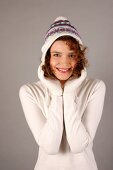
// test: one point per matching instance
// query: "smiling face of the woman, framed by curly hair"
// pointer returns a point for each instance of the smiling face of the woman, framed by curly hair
(62, 61)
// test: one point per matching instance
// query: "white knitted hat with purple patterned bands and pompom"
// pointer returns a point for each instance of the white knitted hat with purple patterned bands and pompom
(60, 27)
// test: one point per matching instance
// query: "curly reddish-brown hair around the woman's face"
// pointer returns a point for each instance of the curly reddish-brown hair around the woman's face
(82, 61)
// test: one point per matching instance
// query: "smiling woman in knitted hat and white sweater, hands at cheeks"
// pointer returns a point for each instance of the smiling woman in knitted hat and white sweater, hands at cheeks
(64, 107)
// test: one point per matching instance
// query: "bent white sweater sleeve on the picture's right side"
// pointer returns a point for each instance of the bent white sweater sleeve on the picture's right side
(80, 130)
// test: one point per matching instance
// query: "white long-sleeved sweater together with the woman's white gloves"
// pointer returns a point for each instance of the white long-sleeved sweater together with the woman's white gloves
(64, 122)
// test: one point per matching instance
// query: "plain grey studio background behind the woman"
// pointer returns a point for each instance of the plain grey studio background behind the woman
(23, 24)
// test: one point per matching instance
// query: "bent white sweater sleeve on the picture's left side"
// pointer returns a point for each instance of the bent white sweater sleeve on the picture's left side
(47, 132)
